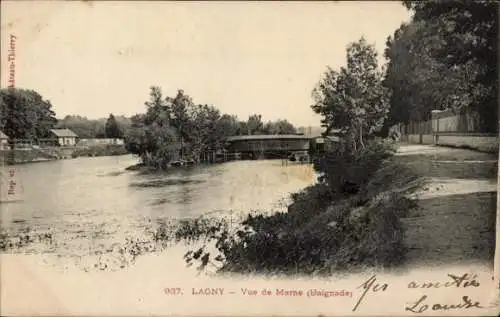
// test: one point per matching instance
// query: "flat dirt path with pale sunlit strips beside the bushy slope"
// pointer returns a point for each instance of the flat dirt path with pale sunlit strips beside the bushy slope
(456, 221)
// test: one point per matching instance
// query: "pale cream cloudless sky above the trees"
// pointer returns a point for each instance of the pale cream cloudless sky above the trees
(96, 58)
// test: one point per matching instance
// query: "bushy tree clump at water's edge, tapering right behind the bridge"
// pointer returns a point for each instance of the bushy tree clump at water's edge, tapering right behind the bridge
(176, 127)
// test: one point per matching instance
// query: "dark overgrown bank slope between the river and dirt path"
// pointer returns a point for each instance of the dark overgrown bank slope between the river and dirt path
(350, 220)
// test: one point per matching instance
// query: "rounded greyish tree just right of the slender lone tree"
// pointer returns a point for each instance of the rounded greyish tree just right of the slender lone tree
(419, 83)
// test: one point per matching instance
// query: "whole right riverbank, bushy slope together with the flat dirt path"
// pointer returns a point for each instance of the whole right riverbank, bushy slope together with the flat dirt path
(424, 205)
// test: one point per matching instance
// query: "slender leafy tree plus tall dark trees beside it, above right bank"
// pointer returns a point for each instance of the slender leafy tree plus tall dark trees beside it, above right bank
(444, 58)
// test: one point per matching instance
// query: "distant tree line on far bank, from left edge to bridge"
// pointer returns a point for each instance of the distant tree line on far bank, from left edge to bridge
(171, 127)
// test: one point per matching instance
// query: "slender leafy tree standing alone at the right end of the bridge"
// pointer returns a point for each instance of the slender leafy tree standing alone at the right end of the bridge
(353, 99)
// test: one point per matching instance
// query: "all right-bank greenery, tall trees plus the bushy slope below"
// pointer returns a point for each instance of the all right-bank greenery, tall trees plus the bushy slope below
(443, 58)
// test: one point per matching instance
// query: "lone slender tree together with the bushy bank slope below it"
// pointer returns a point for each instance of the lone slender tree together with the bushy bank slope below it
(351, 218)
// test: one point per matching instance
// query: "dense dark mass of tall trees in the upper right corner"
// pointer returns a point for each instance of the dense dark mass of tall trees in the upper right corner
(445, 58)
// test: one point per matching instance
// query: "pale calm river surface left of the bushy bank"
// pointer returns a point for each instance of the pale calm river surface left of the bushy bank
(89, 205)
